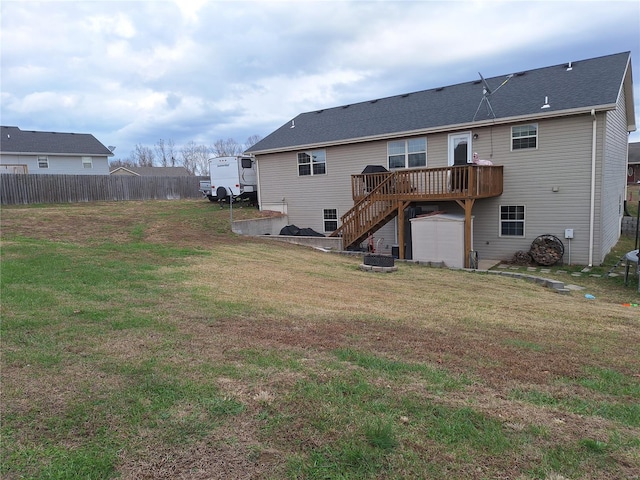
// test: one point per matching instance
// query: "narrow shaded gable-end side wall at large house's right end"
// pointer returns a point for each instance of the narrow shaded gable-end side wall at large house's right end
(613, 177)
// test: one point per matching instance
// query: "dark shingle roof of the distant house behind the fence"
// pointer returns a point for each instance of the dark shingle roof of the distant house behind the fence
(14, 140)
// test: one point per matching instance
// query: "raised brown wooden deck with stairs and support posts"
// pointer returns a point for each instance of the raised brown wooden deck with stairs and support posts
(378, 197)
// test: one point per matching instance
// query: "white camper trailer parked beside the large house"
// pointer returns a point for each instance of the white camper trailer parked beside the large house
(232, 177)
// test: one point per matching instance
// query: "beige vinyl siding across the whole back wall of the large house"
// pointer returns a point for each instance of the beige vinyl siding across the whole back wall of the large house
(562, 159)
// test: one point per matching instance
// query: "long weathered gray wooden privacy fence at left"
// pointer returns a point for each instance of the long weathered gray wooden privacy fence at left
(23, 189)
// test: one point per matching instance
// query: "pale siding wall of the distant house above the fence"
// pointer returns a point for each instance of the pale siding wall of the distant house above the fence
(59, 165)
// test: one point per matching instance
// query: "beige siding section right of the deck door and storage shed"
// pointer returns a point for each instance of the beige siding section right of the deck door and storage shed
(562, 160)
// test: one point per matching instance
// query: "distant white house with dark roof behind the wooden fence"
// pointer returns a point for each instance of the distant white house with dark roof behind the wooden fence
(24, 151)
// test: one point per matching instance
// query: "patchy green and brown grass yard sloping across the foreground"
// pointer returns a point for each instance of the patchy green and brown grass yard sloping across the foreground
(145, 341)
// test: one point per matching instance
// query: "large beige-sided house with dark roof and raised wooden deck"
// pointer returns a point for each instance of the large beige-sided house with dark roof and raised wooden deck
(557, 137)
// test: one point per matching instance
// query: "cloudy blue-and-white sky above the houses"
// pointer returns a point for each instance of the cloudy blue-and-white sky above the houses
(134, 72)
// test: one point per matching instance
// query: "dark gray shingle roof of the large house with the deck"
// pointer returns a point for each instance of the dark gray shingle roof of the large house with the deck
(594, 83)
